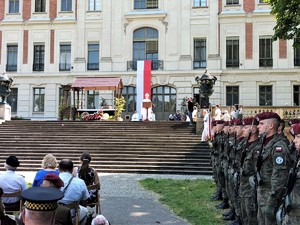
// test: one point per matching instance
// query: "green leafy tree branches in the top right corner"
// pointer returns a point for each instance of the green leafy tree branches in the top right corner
(287, 14)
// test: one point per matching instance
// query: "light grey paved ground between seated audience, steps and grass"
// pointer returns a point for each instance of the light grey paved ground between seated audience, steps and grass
(125, 202)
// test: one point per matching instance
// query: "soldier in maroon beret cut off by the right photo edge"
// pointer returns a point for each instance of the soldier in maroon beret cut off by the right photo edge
(293, 217)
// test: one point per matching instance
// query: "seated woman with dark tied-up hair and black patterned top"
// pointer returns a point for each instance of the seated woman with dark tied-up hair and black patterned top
(88, 174)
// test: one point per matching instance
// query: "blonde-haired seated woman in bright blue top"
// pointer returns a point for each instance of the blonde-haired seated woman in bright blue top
(49, 165)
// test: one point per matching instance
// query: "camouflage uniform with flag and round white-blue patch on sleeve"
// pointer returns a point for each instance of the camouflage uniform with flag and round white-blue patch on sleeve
(274, 173)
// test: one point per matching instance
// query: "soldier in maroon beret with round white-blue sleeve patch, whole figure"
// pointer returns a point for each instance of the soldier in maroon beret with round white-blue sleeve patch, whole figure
(274, 167)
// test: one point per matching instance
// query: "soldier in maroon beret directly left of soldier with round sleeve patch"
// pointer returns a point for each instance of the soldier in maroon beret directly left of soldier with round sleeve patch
(248, 164)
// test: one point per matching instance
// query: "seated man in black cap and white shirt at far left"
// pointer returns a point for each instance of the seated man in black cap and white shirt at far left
(12, 182)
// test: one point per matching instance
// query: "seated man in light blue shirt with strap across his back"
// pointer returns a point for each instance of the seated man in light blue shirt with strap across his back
(74, 190)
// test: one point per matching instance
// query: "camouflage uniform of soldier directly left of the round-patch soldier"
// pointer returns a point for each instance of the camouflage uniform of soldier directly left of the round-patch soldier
(247, 192)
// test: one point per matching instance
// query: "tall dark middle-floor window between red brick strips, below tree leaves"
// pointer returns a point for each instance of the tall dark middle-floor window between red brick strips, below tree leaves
(265, 52)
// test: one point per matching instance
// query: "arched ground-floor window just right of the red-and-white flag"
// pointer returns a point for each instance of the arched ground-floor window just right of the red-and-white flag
(164, 100)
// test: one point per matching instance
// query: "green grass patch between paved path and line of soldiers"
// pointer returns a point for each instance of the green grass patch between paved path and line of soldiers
(189, 199)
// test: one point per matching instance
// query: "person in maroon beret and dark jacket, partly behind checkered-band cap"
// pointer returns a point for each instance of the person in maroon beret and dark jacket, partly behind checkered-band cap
(63, 214)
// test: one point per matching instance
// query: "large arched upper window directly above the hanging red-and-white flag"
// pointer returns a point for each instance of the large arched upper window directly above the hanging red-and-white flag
(145, 46)
